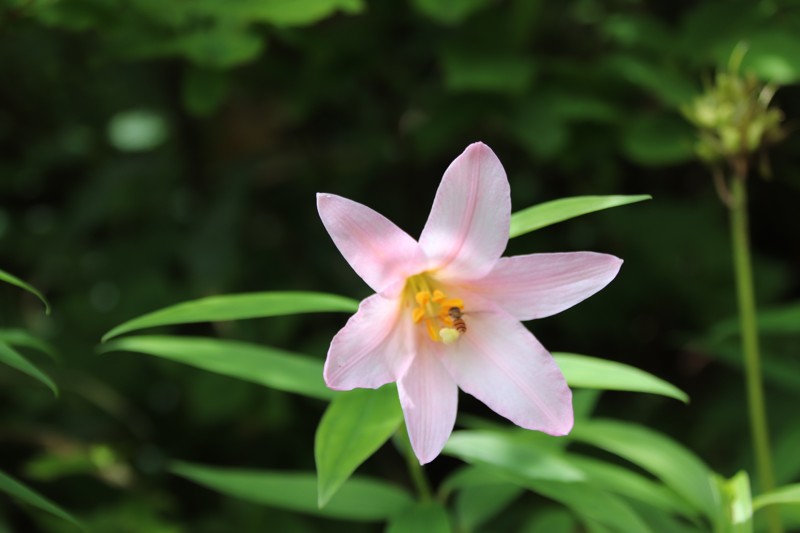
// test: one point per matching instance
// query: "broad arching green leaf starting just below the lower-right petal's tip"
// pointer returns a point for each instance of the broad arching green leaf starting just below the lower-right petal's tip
(676, 466)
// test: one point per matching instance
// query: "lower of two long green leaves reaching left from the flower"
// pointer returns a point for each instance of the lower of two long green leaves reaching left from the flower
(262, 365)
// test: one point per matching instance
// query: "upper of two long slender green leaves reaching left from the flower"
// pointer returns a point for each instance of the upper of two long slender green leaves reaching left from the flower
(238, 307)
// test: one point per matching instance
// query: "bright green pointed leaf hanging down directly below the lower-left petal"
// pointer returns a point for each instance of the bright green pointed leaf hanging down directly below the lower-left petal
(354, 426)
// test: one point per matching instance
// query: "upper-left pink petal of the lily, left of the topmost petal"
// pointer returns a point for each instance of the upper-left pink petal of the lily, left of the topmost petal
(380, 252)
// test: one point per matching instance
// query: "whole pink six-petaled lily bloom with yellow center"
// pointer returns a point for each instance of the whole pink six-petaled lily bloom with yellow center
(446, 310)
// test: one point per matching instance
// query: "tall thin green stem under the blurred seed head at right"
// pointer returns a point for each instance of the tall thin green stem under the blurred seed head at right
(749, 328)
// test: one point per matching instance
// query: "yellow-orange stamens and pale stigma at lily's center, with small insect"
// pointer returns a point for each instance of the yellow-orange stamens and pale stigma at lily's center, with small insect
(441, 315)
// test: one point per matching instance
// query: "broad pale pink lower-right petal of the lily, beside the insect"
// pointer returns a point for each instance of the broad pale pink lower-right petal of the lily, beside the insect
(502, 364)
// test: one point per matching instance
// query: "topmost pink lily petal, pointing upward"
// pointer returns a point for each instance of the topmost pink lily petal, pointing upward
(467, 229)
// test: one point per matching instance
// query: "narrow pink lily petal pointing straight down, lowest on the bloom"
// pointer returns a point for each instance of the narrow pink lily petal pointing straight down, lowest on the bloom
(430, 399)
